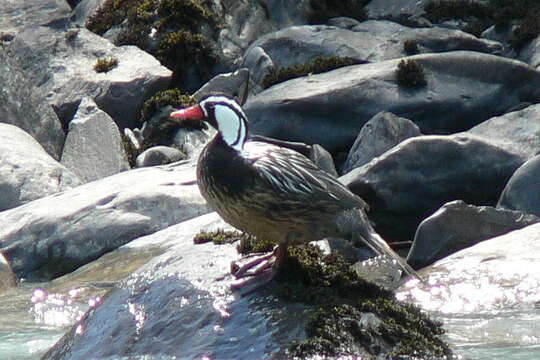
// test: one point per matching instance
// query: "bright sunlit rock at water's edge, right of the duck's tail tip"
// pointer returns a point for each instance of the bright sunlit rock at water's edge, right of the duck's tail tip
(496, 275)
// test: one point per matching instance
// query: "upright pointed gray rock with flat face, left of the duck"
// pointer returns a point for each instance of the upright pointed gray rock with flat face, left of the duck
(94, 147)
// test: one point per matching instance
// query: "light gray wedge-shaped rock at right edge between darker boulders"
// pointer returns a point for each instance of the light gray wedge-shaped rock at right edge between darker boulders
(518, 130)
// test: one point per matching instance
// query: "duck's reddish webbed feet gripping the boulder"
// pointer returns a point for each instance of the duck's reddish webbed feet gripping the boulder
(255, 270)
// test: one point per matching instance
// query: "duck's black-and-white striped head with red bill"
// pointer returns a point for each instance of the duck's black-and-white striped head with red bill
(224, 114)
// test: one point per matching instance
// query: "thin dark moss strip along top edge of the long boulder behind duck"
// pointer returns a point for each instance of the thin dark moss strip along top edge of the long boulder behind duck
(318, 65)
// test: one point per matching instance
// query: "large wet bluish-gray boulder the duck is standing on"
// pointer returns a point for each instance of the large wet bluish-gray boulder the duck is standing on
(179, 305)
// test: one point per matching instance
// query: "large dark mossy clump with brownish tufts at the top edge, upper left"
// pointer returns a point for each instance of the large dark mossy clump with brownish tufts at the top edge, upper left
(167, 29)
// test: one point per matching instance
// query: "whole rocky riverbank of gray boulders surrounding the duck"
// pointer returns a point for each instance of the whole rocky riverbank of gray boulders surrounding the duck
(427, 110)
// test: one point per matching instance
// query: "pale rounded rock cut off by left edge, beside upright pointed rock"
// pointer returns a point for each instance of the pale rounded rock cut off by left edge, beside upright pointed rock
(27, 172)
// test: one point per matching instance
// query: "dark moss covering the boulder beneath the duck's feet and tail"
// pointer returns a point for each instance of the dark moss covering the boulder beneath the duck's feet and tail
(348, 316)
